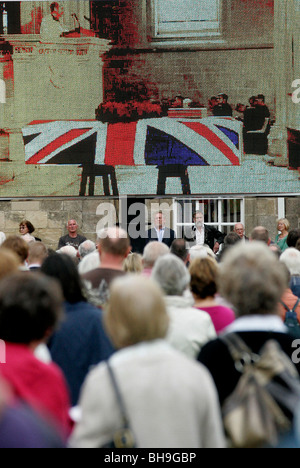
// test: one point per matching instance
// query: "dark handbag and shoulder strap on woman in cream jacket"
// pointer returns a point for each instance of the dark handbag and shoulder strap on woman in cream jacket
(123, 437)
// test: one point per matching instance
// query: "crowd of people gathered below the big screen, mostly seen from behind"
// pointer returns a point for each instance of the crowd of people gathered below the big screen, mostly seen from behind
(158, 318)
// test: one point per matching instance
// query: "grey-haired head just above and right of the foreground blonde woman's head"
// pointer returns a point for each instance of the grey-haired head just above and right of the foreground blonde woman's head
(171, 274)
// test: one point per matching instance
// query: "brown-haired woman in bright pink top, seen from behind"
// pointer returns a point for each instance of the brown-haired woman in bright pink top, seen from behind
(203, 284)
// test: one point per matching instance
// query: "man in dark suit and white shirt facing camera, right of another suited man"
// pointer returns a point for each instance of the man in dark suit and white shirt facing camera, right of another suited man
(201, 234)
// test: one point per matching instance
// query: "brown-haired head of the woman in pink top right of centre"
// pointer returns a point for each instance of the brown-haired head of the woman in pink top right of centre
(204, 273)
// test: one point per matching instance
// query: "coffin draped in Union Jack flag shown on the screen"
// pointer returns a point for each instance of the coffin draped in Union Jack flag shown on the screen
(162, 141)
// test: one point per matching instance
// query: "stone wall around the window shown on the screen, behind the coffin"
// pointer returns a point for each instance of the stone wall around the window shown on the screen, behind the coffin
(241, 65)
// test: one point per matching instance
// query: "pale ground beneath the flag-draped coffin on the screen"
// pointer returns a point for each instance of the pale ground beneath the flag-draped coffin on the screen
(254, 176)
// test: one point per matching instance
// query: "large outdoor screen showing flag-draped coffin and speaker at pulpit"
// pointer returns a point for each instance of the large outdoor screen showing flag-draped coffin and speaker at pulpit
(65, 130)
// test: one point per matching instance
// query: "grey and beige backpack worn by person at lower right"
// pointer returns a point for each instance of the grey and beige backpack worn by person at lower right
(261, 408)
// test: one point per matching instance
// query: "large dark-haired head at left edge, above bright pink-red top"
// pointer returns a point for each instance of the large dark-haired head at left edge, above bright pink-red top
(30, 307)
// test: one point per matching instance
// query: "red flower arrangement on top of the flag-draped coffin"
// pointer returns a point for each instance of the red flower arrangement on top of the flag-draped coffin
(112, 111)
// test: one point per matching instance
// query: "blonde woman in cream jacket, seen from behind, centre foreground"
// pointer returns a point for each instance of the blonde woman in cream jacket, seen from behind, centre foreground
(170, 399)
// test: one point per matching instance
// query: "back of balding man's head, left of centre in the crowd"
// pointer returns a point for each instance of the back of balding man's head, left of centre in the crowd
(113, 245)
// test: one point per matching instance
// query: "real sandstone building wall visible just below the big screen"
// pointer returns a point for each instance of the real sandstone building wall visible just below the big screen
(49, 216)
